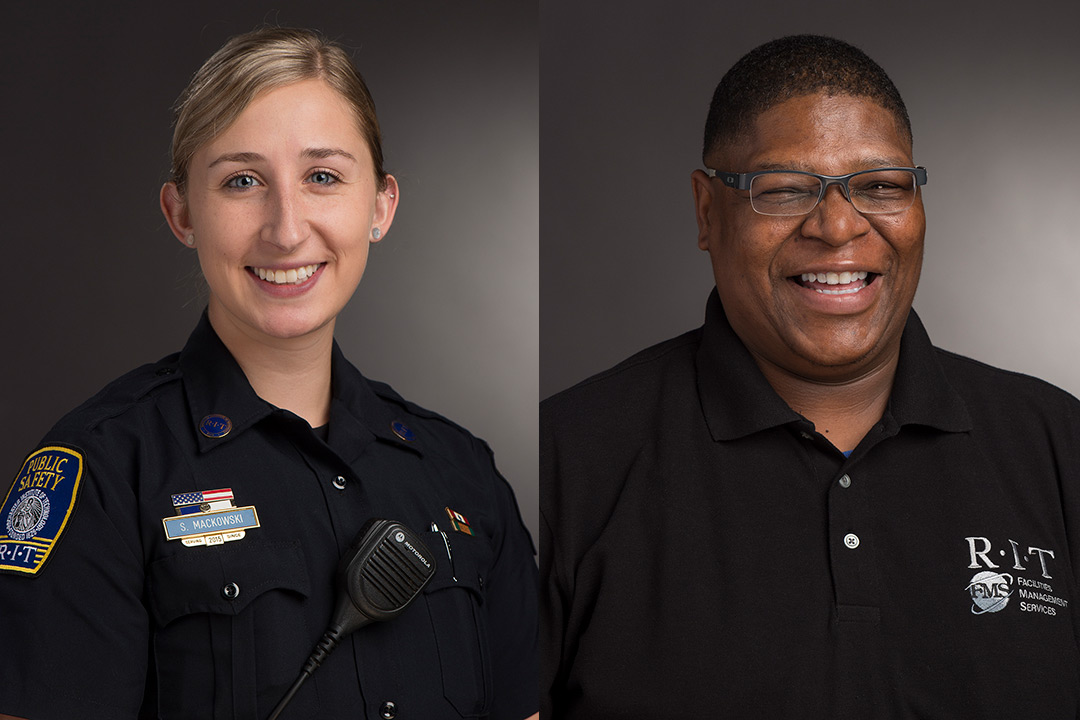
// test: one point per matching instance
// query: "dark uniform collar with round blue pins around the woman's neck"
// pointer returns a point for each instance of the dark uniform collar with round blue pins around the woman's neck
(217, 386)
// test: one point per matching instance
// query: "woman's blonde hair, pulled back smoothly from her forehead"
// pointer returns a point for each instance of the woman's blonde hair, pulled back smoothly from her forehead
(254, 63)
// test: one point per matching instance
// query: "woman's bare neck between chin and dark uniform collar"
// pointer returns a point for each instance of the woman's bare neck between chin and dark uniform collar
(292, 374)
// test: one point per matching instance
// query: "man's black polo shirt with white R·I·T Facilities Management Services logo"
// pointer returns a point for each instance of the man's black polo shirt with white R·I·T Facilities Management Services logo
(707, 554)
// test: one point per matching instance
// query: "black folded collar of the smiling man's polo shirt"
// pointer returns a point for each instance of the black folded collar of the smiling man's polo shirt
(738, 401)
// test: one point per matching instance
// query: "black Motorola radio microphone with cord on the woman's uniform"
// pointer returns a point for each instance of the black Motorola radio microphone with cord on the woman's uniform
(380, 576)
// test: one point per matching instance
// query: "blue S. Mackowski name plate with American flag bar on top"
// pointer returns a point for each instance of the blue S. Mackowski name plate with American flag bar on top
(209, 519)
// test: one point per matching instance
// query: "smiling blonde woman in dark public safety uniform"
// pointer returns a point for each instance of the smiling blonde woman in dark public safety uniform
(170, 550)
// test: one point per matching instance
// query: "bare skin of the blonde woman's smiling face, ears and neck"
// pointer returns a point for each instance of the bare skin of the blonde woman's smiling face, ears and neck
(282, 208)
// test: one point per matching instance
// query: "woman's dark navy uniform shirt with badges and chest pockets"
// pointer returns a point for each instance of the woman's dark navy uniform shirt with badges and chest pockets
(119, 618)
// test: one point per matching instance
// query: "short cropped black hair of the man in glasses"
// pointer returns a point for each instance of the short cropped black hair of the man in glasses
(792, 67)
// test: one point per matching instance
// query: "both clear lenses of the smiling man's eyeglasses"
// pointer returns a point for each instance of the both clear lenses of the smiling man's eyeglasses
(795, 194)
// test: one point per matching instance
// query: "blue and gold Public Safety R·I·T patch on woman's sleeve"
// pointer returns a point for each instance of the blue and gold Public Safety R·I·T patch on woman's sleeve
(38, 508)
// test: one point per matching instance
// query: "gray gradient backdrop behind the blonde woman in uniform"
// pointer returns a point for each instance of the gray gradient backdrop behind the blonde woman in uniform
(448, 311)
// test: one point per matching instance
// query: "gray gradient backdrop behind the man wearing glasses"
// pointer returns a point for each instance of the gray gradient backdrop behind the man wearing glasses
(994, 94)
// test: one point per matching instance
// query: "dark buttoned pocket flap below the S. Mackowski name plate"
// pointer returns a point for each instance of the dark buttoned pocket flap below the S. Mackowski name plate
(224, 580)
